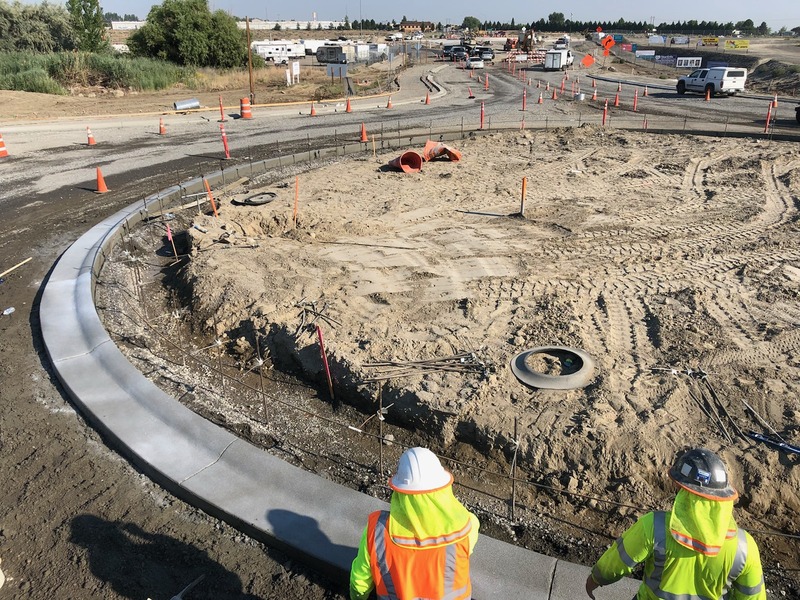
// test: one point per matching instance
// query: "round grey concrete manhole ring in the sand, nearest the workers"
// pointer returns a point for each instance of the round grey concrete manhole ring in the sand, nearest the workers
(572, 368)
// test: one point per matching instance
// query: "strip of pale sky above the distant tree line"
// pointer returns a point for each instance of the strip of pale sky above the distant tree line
(777, 13)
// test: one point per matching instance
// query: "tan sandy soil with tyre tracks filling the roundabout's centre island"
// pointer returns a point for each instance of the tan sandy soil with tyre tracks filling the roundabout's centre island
(658, 256)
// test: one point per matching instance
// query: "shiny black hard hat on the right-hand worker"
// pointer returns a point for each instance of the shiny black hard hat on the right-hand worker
(702, 472)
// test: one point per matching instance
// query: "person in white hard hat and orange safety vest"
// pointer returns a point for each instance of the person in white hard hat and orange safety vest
(420, 548)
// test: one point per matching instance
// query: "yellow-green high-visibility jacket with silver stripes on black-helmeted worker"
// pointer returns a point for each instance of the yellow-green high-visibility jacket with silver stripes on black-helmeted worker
(674, 571)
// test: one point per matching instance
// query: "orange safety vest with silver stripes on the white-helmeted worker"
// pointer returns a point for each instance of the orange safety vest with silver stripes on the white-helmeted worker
(410, 568)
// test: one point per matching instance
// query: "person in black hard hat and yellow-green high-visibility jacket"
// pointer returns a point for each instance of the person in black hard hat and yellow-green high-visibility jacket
(693, 552)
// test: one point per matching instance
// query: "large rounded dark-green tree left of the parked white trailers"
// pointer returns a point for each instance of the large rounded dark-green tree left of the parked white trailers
(186, 33)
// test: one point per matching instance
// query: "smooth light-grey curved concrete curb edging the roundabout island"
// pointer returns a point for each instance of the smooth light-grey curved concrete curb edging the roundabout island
(308, 517)
